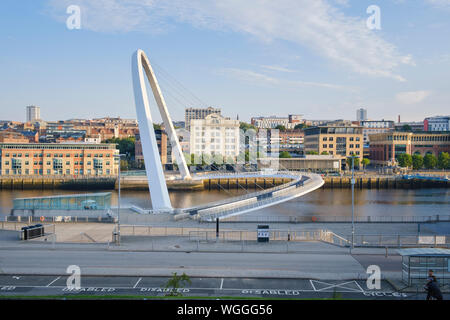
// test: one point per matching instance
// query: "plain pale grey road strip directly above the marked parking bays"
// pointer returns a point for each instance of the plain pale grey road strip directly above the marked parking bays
(104, 262)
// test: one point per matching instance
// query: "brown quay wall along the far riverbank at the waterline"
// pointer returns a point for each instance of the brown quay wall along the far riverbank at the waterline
(362, 181)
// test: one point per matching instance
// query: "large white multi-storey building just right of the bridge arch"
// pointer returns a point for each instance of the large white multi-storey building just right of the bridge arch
(214, 135)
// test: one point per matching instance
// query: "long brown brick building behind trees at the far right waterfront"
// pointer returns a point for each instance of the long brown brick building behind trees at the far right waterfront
(386, 147)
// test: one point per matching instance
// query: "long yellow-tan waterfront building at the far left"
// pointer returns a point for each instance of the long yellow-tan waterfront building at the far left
(44, 159)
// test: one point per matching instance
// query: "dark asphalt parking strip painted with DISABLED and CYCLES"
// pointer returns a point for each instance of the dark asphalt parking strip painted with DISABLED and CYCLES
(54, 285)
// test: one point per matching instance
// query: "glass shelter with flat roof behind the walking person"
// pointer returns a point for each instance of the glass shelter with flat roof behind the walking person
(417, 261)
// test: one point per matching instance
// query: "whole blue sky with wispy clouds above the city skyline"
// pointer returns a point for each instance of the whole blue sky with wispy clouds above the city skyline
(315, 58)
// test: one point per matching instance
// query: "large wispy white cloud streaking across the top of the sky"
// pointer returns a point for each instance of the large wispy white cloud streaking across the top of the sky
(317, 25)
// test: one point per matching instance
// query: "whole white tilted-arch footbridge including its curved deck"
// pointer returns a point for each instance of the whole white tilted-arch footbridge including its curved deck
(300, 183)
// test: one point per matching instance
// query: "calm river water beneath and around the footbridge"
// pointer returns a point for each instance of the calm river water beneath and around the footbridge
(322, 202)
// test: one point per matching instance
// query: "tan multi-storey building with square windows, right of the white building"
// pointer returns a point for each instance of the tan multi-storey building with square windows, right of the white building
(334, 140)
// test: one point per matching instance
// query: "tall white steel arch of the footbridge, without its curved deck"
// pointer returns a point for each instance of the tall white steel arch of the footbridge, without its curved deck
(155, 174)
